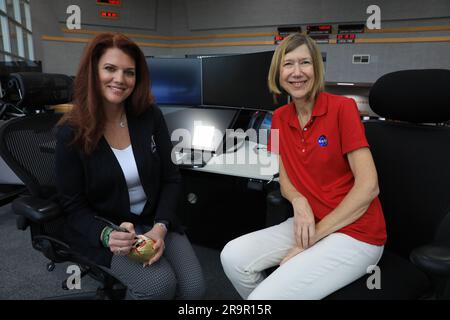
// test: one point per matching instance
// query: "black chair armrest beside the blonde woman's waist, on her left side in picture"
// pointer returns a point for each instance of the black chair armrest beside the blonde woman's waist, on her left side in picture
(278, 208)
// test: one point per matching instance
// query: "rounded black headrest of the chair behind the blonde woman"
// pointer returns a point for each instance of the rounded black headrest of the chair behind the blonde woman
(421, 96)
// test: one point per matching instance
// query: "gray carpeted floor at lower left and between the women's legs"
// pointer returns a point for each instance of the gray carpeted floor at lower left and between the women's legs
(23, 274)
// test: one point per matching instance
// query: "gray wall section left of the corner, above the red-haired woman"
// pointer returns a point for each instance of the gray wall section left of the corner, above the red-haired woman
(148, 17)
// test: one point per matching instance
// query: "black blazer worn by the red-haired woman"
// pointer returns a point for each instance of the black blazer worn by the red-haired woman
(94, 184)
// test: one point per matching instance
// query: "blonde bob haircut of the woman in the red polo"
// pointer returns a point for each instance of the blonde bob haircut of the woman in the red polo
(289, 44)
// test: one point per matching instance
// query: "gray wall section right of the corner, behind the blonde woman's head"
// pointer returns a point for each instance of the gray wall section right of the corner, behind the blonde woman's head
(197, 17)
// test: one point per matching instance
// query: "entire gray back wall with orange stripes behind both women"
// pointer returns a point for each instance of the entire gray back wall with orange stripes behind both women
(203, 17)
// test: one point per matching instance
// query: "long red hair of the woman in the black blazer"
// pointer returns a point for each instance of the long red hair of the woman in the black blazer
(87, 116)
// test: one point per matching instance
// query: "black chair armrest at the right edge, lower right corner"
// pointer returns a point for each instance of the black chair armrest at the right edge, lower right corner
(432, 259)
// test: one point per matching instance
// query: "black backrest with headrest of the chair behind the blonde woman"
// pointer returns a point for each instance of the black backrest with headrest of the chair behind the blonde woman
(412, 158)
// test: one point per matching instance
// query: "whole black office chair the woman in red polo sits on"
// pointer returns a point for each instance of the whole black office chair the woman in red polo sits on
(413, 165)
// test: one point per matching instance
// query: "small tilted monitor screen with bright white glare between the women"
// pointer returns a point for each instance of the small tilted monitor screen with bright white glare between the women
(198, 128)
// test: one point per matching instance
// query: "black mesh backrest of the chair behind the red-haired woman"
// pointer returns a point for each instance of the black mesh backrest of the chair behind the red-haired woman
(27, 145)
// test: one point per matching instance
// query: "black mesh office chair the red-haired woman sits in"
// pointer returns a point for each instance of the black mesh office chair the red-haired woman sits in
(27, 144)
